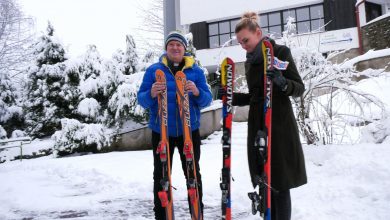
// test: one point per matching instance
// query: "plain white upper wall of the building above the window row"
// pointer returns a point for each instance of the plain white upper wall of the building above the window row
(192, 11)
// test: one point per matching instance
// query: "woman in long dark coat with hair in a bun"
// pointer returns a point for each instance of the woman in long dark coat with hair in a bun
(287, 160)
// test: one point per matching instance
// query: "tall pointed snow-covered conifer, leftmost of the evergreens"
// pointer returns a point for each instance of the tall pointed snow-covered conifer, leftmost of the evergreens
(44, 104)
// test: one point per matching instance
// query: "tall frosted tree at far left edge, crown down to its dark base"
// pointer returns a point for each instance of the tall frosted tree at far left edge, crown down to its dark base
(14, 38)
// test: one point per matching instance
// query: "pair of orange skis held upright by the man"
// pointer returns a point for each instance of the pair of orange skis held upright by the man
(165, 194)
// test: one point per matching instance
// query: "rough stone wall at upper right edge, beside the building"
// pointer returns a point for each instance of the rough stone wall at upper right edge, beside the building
(376, 35)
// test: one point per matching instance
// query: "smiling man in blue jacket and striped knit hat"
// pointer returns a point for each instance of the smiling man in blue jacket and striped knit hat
(200, 96)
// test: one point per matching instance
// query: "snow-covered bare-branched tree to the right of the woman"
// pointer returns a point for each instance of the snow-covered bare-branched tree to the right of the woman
(331, 103)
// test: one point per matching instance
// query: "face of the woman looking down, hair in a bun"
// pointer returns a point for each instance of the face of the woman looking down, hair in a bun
(249, 39)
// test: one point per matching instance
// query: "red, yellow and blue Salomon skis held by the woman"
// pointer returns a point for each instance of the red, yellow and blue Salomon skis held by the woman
(261, 201)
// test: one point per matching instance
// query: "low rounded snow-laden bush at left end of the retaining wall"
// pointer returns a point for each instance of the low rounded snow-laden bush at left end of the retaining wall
(79, 137)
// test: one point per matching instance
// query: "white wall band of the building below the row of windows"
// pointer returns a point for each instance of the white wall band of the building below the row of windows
(323, 42)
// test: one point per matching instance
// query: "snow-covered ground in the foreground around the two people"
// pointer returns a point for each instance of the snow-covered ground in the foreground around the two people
(345, 182)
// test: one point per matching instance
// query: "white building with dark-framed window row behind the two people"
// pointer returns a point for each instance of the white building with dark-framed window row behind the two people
(327, 25)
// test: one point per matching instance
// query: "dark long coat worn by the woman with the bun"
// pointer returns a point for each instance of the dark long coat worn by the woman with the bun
(287, 159)
